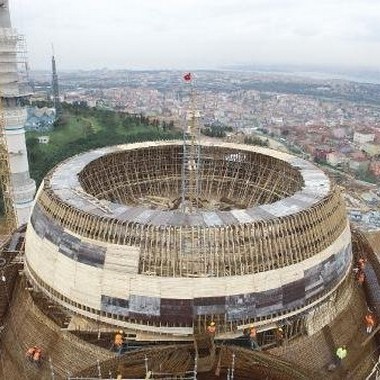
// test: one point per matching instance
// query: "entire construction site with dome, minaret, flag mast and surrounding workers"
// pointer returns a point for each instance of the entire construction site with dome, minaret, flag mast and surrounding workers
(178, 260)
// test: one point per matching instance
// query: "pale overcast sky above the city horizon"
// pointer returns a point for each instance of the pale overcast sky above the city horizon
(190, 34)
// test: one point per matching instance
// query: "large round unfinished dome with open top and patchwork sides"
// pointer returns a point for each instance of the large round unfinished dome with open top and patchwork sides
(266, 240)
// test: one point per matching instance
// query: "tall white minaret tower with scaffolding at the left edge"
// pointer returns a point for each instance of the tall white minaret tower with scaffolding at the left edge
(13, 113)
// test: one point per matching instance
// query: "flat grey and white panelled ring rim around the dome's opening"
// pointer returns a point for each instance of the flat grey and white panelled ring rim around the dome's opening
(65, 184)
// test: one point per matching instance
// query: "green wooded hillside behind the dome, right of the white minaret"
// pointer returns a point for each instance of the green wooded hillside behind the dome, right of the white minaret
(81, 129)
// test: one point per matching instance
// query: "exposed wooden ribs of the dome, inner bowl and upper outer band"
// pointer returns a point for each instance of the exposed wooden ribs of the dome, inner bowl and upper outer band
(245, 179)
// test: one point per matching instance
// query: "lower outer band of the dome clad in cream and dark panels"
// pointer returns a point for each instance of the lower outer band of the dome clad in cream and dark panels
(105, 277)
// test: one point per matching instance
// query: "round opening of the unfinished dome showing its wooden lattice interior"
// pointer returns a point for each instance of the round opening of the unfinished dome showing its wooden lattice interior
(222, 178)
